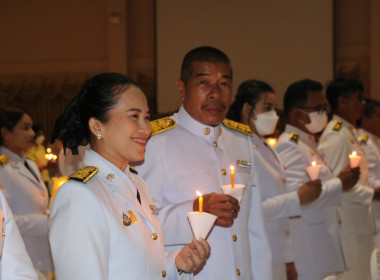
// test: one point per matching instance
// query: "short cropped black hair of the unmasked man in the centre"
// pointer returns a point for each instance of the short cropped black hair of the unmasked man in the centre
(203, 54)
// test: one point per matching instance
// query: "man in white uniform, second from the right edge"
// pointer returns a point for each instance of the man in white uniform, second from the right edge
(337, 142)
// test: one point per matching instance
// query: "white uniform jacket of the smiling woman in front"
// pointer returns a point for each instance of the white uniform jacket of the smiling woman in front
(93, 234)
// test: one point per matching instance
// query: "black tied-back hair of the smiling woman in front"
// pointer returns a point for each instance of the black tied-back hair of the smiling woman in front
(96, 98)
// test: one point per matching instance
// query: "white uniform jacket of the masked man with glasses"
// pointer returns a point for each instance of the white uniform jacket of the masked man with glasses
(315, 235)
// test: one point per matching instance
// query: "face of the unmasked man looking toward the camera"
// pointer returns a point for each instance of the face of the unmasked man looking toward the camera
(207, 93)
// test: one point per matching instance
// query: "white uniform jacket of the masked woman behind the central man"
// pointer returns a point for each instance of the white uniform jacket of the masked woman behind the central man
(278, 205)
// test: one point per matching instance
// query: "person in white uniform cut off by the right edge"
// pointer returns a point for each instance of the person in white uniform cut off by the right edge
(369, 139)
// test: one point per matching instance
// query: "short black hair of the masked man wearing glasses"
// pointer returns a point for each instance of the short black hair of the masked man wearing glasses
(296, 95)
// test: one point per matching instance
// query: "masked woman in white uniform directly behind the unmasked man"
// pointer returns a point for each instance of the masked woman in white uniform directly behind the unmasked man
(254, 105)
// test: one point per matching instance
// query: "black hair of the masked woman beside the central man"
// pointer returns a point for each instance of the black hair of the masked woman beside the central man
(249, 92)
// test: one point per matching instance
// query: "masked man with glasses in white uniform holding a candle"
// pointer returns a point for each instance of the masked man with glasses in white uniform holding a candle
(315, 233)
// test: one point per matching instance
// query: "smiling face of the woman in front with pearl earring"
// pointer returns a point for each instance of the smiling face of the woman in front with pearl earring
(125, 134)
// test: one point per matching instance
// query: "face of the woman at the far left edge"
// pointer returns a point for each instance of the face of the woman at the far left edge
(21, 138)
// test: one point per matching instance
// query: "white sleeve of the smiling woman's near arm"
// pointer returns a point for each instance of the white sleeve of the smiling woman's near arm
(78, 236)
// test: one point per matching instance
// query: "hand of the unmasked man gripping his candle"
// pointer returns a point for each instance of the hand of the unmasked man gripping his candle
(224, 206)
